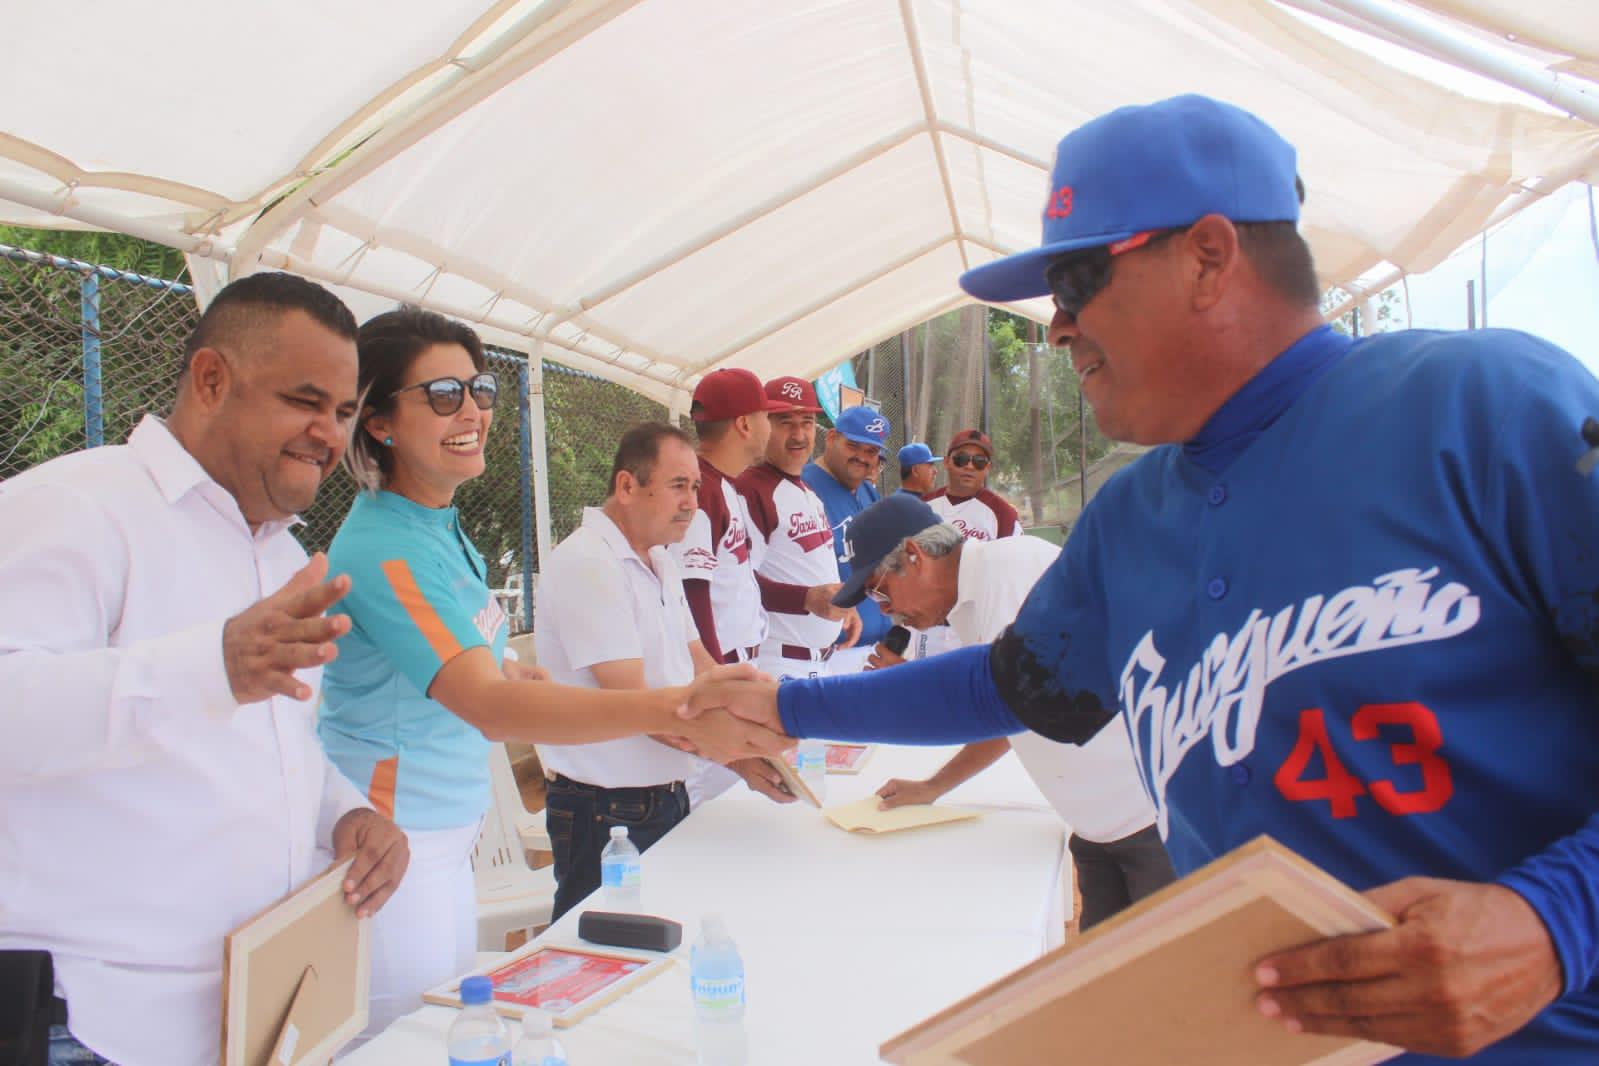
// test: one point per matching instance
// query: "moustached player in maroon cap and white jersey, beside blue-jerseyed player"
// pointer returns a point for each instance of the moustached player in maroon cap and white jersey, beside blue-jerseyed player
(799, 571)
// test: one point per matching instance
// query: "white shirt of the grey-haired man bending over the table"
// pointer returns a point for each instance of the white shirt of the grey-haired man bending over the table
(1096, 787)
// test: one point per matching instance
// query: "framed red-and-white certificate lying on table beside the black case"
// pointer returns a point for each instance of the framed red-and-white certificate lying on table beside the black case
(568, 984)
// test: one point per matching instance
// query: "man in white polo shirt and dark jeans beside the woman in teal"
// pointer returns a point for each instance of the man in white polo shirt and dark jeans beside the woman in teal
(613, 616)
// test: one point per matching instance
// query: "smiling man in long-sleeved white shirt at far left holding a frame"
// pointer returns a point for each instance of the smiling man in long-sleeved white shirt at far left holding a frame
(162, 638)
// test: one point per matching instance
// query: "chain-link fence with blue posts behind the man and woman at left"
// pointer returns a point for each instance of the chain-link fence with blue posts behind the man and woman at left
(87, 351)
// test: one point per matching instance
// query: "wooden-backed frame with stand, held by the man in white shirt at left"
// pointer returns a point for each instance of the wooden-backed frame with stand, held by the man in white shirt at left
(295, 979)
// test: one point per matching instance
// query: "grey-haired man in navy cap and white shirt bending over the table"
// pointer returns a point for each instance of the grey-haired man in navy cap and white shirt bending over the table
(927, 573)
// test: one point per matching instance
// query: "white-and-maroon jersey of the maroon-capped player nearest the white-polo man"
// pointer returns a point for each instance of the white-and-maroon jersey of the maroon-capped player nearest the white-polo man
(719, 551)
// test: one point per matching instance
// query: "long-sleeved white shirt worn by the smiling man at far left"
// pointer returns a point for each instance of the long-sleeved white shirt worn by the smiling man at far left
(143, 813)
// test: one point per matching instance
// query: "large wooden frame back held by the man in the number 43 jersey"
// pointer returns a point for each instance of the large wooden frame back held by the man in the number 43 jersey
(1170, 980)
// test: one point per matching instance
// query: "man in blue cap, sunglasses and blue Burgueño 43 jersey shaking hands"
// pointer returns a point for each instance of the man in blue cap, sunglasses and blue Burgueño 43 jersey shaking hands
(1352, 602)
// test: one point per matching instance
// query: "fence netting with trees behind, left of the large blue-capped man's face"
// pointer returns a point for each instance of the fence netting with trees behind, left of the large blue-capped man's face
(986, 368)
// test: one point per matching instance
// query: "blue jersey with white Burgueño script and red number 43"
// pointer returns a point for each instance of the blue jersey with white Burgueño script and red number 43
(1360, 615)
